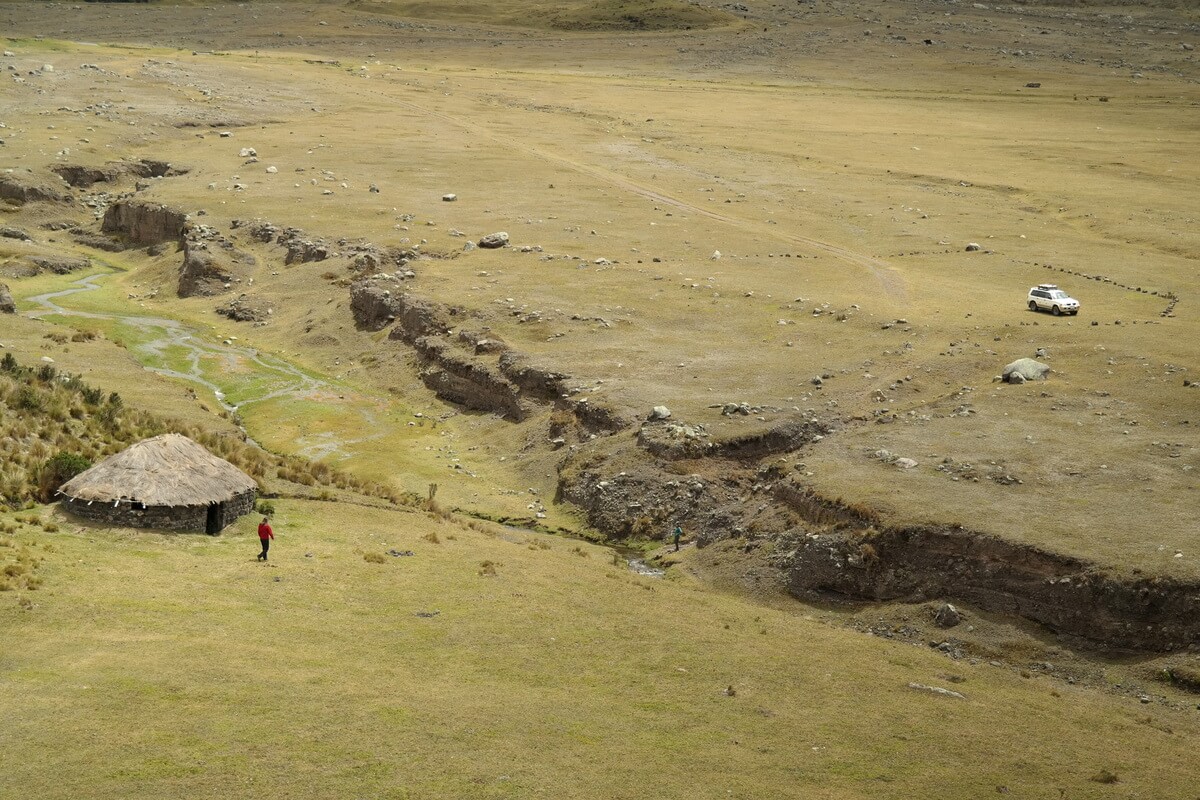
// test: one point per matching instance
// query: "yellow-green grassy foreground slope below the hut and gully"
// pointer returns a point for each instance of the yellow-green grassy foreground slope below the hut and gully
(177, 666)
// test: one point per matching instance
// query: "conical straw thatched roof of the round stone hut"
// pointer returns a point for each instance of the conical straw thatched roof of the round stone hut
(167, 471)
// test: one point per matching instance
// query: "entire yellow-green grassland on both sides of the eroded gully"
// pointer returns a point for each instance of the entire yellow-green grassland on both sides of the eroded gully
(839, 166)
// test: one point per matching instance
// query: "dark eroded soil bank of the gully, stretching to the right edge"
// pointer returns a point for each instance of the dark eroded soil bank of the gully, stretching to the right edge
(829, 549)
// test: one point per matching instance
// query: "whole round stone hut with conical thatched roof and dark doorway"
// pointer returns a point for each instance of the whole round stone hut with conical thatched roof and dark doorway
(169, 482)
